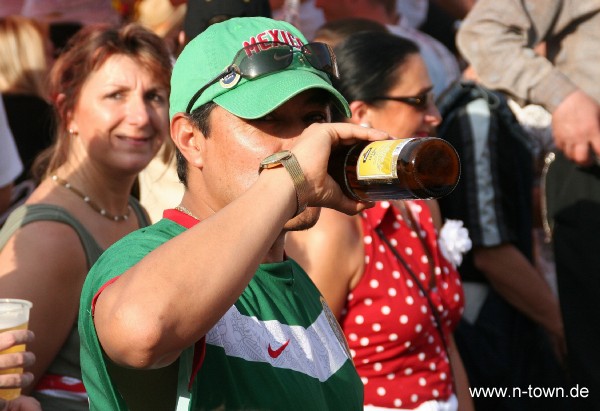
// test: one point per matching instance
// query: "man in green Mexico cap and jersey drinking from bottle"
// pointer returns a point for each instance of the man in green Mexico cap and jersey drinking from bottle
(203, 308)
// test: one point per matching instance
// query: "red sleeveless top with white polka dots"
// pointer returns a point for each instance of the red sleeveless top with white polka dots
(391, 332)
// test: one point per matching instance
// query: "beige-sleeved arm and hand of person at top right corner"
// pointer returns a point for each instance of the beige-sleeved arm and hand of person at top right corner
(498, 38)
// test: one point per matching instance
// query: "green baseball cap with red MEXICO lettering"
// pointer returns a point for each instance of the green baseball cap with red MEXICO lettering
(213, 50)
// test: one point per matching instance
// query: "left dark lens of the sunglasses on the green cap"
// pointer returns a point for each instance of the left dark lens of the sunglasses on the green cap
(267, 60)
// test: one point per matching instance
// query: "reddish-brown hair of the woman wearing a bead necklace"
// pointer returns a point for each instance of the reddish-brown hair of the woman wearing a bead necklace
(85, 52)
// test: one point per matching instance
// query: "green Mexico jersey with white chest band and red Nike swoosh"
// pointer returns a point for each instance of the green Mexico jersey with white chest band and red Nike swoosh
(278, 347)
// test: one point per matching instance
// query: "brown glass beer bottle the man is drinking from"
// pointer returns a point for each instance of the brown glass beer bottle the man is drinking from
(424, 168)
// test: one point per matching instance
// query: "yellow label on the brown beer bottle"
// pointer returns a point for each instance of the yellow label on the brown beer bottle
(378, 159)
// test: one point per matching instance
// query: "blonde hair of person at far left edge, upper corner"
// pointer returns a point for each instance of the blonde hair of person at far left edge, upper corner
(23, 66)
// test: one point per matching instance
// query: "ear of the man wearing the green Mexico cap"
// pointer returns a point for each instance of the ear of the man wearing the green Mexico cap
(188, 139)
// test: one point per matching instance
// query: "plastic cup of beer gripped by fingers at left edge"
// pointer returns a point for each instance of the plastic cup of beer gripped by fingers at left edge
(14, 315)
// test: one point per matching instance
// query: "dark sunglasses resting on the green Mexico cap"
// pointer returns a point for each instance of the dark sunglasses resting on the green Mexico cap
(272, 56)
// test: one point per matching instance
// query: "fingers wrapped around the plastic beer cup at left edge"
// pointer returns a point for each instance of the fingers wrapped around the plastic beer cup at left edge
(21, 359)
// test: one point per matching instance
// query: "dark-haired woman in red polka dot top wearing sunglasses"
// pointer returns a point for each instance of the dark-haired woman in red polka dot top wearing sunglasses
(402, 349)
